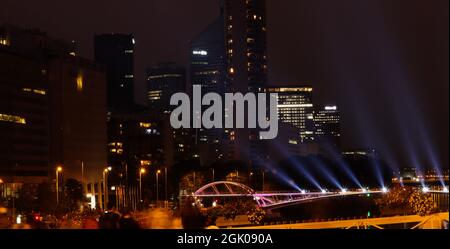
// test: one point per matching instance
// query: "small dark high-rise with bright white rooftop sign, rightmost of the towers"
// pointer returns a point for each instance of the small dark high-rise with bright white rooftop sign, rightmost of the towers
(327, 126)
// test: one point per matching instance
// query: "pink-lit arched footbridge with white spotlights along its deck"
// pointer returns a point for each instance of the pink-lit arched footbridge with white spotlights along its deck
(225, 189)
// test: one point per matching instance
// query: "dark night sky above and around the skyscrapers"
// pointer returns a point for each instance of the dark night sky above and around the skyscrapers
(384, 62)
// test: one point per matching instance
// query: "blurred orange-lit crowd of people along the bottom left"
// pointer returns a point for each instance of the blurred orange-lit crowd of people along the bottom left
(189, 217)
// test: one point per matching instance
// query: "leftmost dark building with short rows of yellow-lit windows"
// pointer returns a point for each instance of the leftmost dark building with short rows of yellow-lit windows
(24, 118)
